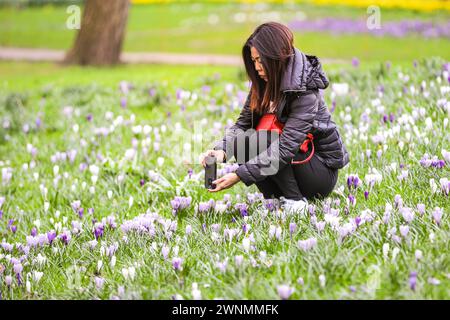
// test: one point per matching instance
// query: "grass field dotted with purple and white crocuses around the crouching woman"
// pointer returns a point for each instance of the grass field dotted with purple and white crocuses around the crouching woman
(95, 163)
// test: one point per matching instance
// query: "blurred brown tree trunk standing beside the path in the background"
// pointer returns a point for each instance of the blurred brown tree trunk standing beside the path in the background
(99, 40)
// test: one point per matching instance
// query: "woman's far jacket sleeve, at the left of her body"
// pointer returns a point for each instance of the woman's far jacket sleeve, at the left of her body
(243, 123)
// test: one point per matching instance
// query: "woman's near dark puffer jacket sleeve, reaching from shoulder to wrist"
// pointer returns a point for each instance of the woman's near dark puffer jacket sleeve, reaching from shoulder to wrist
(303, 110)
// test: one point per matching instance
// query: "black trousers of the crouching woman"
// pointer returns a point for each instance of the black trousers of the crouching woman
(310, 180)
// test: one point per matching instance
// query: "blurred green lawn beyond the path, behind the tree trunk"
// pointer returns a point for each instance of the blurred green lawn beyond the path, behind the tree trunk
(185, 28)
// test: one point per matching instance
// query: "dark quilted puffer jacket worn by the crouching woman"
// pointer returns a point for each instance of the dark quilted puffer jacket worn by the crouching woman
(302, 111)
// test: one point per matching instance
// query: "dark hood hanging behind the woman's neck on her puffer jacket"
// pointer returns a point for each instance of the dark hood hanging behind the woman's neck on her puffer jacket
(303, 72)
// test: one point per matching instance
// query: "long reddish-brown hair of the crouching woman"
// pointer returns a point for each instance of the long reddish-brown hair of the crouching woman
(275, 44)
